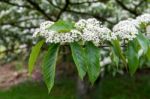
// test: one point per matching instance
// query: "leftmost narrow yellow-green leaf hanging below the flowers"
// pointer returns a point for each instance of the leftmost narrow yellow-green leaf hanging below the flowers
(34, 54)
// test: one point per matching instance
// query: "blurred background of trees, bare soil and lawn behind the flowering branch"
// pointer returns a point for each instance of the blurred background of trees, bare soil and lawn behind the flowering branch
(19, 19)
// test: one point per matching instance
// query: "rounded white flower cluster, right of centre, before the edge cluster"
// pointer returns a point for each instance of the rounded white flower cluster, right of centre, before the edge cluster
(126, 29)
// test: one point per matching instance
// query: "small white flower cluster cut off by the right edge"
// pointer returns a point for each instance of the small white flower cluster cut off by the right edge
(145, 18)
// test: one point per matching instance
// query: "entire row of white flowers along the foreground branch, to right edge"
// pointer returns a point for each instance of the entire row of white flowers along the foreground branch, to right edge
(92, 30)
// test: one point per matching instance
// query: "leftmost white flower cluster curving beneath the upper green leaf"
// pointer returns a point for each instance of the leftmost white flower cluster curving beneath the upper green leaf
(56, 37)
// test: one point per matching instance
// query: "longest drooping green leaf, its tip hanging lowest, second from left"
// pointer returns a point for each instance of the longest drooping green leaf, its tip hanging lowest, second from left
(49, 65)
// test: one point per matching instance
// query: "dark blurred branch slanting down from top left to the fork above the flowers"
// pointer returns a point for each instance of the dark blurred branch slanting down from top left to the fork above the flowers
(37, 7)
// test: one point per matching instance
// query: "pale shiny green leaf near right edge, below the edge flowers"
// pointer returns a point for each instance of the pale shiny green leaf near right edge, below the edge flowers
(143, 42)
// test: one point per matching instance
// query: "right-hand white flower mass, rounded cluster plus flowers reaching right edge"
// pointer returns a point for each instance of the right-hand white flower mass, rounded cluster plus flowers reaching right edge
(128, 29)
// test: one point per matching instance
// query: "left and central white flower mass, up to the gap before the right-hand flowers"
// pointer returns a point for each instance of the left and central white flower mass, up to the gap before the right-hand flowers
(86, 30)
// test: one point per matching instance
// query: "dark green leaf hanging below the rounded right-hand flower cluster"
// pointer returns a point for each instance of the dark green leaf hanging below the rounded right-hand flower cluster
(133, 60)
